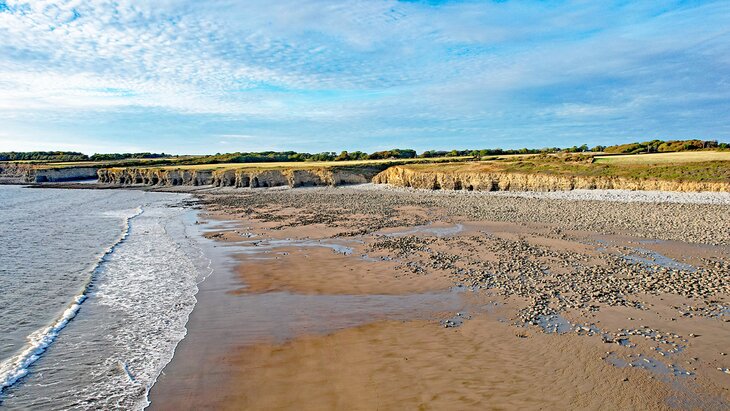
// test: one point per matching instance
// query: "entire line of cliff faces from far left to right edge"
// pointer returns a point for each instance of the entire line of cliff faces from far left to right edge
(391, 174)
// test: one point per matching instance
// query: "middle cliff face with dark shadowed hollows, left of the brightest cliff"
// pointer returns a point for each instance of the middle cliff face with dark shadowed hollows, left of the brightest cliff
(238, 177)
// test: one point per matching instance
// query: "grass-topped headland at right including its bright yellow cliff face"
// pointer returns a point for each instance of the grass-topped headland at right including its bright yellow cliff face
(682, 172)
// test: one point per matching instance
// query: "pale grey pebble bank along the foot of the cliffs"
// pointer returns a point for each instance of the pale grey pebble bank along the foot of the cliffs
(699, 222)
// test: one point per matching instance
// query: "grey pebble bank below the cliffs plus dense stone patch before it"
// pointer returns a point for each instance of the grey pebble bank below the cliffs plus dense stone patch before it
(550, 281)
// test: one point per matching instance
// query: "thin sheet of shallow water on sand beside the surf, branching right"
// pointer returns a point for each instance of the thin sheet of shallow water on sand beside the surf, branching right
(224, 321)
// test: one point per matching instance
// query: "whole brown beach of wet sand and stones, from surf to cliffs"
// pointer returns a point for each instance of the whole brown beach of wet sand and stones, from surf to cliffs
(320, 304)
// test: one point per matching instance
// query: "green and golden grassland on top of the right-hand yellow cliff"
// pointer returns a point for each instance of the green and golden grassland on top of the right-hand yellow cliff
(681, 169)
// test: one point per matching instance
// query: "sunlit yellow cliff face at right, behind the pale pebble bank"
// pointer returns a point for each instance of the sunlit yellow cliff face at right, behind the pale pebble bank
(498, 181)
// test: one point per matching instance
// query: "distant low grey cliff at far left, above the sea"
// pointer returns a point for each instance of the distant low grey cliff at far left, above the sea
(12, 173)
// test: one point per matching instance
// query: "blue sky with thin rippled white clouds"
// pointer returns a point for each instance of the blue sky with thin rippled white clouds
(198, 77)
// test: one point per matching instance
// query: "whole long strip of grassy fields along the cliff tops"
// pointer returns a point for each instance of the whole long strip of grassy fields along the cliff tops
(698, 166)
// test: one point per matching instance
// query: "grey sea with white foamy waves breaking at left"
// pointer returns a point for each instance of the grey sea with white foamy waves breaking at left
(95, 289)
